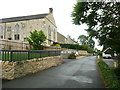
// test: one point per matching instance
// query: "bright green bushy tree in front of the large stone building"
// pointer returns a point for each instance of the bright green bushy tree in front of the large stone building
(36, 38)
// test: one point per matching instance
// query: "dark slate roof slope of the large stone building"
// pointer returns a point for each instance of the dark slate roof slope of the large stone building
(22, 18)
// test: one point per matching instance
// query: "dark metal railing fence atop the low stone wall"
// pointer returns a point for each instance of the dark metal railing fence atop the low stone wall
(19, 55)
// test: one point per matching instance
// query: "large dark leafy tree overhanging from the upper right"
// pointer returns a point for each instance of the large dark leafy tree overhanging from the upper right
(103, 20)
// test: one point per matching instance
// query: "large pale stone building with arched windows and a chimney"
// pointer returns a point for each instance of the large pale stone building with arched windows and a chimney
(18, 28)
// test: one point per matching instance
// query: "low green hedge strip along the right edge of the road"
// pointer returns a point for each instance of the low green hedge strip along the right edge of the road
(108, 75)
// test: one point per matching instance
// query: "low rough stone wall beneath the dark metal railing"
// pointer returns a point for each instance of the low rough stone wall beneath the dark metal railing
(12, 70)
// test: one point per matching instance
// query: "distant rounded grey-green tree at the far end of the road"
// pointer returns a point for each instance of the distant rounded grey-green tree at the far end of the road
(86, 40)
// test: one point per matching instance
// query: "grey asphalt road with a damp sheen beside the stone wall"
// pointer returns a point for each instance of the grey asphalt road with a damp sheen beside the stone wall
(80, 73)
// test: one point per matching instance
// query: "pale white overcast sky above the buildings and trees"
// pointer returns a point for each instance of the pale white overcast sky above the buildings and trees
(62, 10)
